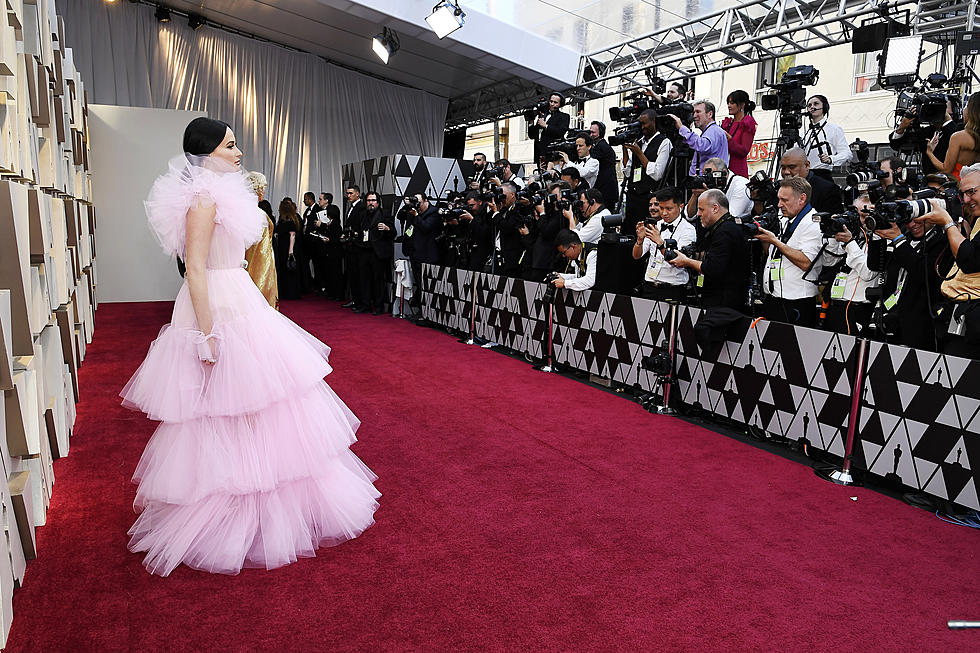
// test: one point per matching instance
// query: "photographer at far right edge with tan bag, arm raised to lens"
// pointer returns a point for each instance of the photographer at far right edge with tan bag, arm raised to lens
(962, 285)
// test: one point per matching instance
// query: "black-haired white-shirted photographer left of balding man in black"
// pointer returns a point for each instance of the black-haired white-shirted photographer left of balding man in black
(662, 281)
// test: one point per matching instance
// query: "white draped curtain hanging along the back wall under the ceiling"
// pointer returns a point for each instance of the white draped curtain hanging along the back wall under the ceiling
(297, 117)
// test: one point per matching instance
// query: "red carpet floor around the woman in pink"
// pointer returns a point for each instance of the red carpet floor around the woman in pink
(521, 512)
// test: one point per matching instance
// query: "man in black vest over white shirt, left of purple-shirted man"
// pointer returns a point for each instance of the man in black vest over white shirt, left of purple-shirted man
(644, 165)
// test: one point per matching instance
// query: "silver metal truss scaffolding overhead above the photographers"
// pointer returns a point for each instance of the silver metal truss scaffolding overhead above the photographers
(752, 31)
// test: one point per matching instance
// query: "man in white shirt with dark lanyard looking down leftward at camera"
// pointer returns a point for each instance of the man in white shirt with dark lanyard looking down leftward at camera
(792, 264)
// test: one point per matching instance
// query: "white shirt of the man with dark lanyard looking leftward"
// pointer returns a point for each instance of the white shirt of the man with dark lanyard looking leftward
(782, 278)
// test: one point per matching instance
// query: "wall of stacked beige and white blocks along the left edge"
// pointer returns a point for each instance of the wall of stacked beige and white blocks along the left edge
(47, 271)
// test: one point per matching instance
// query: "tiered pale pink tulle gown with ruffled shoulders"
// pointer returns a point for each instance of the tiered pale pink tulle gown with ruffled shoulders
(251, 464)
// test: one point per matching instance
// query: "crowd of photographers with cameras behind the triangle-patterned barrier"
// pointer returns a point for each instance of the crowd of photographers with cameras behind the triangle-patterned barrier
(886, 250)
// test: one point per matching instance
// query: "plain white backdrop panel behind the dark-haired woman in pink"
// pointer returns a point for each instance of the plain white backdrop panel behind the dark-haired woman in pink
(130, 148)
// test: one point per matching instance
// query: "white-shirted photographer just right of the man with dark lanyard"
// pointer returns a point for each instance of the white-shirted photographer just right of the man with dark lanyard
(850, 310)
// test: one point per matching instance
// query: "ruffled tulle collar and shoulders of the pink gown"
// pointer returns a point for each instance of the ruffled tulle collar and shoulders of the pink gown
(191, 182)
